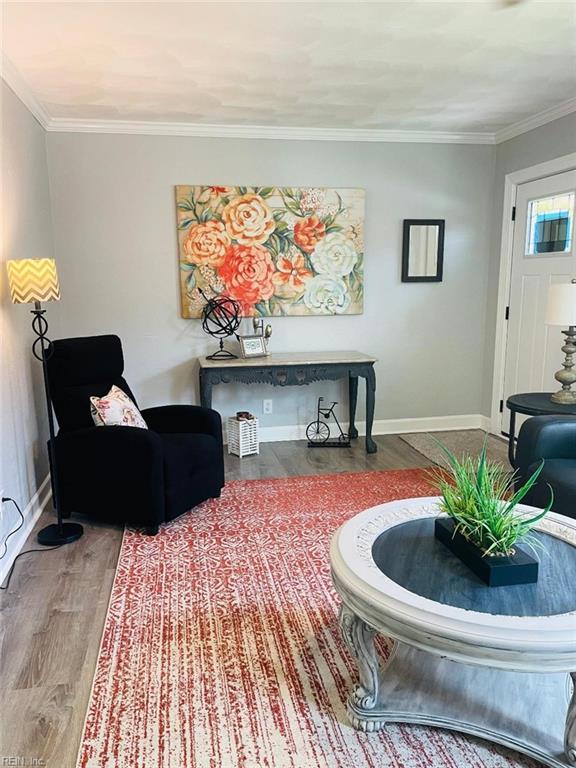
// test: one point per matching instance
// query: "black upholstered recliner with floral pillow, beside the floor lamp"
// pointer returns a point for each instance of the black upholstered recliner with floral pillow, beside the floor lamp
(140, 476)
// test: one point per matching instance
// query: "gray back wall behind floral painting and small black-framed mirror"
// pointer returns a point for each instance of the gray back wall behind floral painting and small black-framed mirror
(115, 236)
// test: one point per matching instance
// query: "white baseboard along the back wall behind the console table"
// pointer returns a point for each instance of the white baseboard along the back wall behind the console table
(384, 427)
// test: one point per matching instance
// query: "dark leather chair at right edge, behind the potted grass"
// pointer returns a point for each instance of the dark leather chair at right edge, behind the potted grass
(552, 438)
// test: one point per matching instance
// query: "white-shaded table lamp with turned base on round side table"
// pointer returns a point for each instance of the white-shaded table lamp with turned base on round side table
(561, 310)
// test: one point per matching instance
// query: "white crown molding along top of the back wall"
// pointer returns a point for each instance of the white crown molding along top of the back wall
(152, 128)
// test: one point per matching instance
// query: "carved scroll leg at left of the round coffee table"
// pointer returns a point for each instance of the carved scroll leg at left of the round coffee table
(359, 638)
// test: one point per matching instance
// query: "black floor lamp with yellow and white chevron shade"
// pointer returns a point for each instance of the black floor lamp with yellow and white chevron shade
(36, 280)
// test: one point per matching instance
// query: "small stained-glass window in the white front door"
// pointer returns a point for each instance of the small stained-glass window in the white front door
(550, 225)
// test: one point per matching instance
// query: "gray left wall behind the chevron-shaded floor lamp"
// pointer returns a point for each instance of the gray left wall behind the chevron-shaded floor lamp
(26, 233)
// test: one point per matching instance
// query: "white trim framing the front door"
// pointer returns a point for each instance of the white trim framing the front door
(511, 183)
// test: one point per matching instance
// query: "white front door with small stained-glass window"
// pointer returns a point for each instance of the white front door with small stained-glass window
(543, 253)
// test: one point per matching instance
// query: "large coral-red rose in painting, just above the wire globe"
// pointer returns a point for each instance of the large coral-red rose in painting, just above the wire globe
(247, 272)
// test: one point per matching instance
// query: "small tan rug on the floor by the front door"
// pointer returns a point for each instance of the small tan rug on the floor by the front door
(462, 442)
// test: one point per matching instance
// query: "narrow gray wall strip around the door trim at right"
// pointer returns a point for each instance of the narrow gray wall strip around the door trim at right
(546, 143)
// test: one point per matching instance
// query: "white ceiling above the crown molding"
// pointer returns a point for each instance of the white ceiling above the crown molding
(460, 66)
